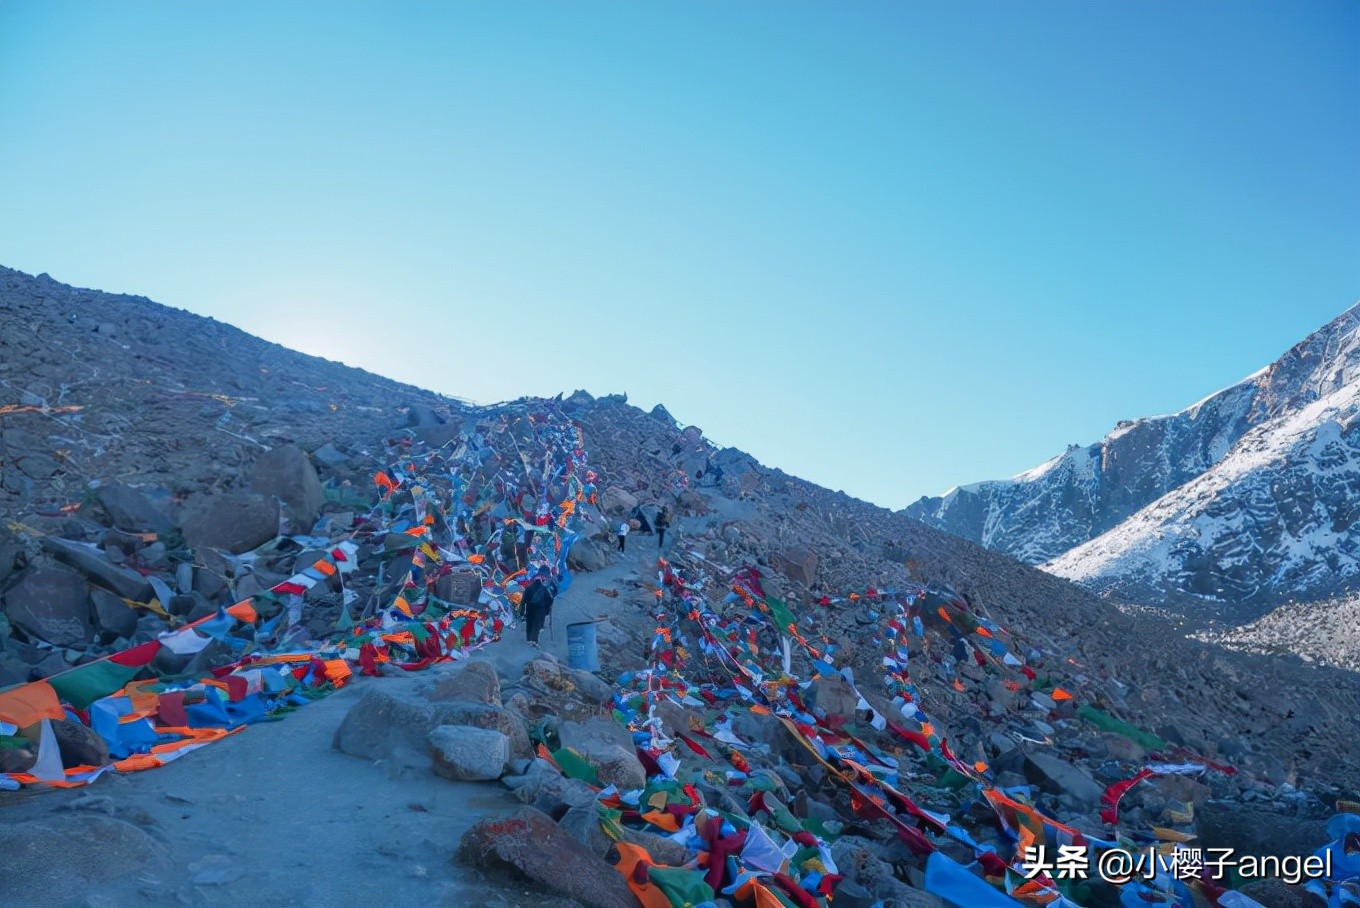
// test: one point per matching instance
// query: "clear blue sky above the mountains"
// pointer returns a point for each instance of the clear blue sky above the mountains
(887, 247)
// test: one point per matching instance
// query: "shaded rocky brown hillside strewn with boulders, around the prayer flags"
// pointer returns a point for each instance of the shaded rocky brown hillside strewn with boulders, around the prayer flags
(183, 455)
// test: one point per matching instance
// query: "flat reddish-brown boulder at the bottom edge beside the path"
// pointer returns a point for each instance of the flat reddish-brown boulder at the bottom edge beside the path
(531, 846)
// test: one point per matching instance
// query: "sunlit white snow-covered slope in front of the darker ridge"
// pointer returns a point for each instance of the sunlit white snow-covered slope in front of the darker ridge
(1275, 520)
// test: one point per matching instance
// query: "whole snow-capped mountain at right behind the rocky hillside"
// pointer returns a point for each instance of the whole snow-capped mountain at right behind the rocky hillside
(1248, 497)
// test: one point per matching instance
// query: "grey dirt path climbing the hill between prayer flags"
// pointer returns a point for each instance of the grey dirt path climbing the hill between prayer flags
(274, 816)
